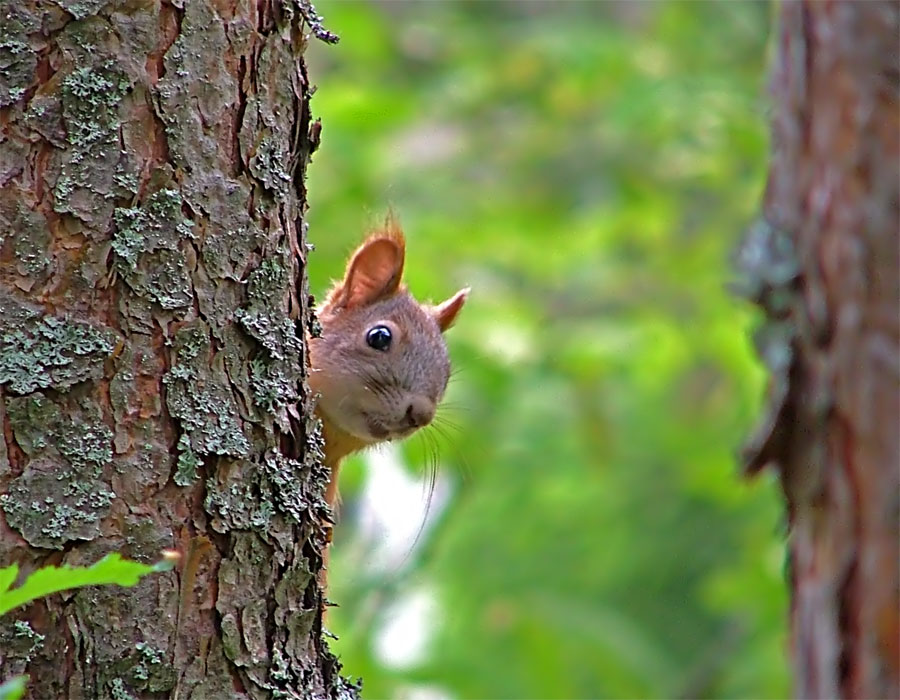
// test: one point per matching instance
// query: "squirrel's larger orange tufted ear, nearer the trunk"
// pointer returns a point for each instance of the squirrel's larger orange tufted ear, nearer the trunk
(374, 271)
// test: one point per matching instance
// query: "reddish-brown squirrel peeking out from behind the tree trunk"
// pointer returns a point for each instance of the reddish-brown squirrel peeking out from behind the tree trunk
(380, 365)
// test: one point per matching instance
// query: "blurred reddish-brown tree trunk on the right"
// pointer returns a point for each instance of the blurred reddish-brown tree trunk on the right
(826, 270)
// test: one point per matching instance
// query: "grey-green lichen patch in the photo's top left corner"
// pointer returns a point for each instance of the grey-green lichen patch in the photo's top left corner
(18, 59)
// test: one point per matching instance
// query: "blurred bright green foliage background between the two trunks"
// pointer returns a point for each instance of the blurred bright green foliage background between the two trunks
(587, 168)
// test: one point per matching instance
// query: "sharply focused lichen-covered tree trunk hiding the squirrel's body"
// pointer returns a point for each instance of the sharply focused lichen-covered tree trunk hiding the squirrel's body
(152, 364)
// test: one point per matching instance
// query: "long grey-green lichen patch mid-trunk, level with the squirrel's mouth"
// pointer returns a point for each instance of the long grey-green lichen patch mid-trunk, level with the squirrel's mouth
(198, 396)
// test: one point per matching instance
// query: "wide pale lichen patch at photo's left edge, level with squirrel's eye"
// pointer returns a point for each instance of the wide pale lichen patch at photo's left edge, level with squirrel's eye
(38, 350)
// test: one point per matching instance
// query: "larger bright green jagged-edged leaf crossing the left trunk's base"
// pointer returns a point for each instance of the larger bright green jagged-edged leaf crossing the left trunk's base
(52, 579)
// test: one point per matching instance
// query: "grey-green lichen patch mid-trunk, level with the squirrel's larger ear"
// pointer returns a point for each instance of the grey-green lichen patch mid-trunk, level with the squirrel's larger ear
(147, 242)
